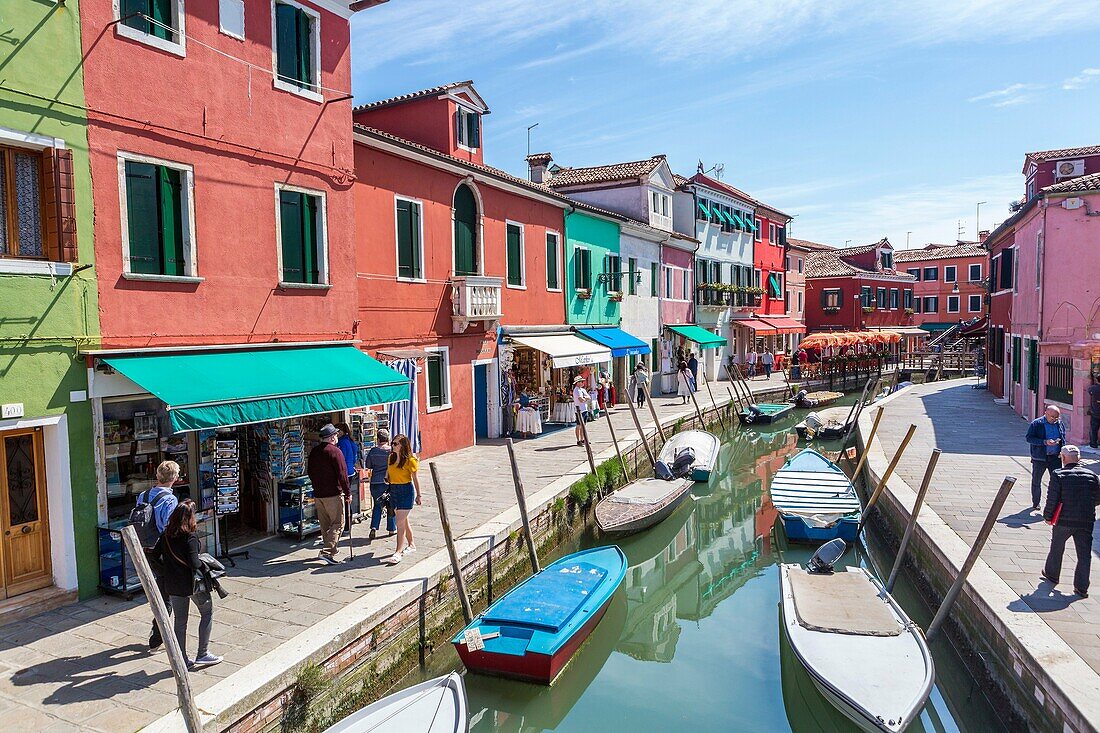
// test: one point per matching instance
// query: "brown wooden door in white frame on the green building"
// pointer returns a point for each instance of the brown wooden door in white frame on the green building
(25, 520)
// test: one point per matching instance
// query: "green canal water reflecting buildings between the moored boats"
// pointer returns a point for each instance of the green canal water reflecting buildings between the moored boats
(692, 641)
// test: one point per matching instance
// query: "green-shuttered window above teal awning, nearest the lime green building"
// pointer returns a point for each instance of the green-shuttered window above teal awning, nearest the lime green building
(158, 218)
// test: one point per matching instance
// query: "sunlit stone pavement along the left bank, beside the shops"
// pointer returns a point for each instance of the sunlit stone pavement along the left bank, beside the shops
(87, 666)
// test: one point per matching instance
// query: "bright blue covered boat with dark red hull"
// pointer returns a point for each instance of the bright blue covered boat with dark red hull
(534, 630)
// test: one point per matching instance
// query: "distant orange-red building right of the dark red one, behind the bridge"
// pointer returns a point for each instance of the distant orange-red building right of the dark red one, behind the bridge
(950, 285)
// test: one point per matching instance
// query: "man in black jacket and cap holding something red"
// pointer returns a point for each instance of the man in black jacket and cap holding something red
(1071, 509)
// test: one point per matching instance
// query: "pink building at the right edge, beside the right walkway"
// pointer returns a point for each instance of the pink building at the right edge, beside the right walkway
(1051, 347)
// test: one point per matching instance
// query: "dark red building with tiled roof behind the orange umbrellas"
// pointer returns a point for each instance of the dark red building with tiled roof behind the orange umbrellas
(857, 288)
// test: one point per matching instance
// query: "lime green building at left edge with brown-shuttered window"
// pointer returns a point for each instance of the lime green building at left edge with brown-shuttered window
(48, 313)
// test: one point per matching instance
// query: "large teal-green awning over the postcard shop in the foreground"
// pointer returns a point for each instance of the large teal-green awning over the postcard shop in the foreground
(219, 389)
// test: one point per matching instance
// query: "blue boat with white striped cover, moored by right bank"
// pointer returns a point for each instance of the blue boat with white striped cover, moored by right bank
(816, 500)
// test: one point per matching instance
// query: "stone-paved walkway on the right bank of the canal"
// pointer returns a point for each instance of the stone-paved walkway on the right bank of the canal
(983, 443)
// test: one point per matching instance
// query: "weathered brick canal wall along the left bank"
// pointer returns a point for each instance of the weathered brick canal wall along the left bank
(362, 666)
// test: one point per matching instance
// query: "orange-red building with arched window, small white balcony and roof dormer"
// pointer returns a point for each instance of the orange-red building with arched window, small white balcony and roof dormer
(449, 249)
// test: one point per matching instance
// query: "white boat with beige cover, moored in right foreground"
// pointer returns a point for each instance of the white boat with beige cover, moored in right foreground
(859, 647)
